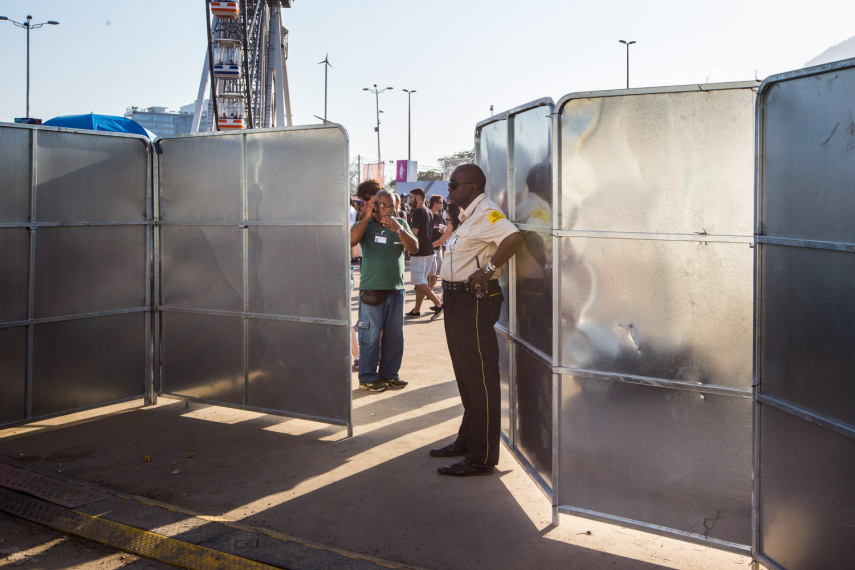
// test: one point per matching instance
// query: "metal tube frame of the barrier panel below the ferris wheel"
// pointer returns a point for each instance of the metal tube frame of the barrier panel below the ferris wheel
(245, 223)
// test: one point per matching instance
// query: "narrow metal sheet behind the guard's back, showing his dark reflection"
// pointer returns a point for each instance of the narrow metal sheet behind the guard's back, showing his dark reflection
(530, 192)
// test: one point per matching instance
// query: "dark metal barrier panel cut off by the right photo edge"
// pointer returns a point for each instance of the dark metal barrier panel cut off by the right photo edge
(805, 426)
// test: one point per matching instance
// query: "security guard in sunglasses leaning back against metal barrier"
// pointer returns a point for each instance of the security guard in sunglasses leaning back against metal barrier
(475, 254)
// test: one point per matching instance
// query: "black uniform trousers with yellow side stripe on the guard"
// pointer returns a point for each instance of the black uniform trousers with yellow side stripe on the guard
(474, 352)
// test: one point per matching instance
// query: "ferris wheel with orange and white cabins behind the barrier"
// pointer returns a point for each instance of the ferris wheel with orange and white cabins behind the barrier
(245, 66)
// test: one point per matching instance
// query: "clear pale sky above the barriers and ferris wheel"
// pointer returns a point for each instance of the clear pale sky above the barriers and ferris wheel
(461, 56)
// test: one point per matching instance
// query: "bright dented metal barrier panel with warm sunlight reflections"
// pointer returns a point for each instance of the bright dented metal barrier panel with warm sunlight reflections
(654, 309)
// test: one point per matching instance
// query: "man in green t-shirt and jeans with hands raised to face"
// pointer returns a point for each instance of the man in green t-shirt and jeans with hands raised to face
(383, 238)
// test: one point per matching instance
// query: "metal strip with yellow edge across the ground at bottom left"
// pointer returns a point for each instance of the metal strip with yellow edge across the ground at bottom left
(161, 532)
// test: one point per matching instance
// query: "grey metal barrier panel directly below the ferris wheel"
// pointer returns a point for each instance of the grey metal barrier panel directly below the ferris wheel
(253, 260)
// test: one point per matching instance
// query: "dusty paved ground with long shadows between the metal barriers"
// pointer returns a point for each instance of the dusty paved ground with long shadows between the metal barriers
(376, 494)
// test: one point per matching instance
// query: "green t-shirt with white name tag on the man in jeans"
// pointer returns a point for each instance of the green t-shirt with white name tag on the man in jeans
(382, 258)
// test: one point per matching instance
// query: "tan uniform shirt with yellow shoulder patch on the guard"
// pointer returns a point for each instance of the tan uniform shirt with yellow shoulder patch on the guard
(482, 228)
